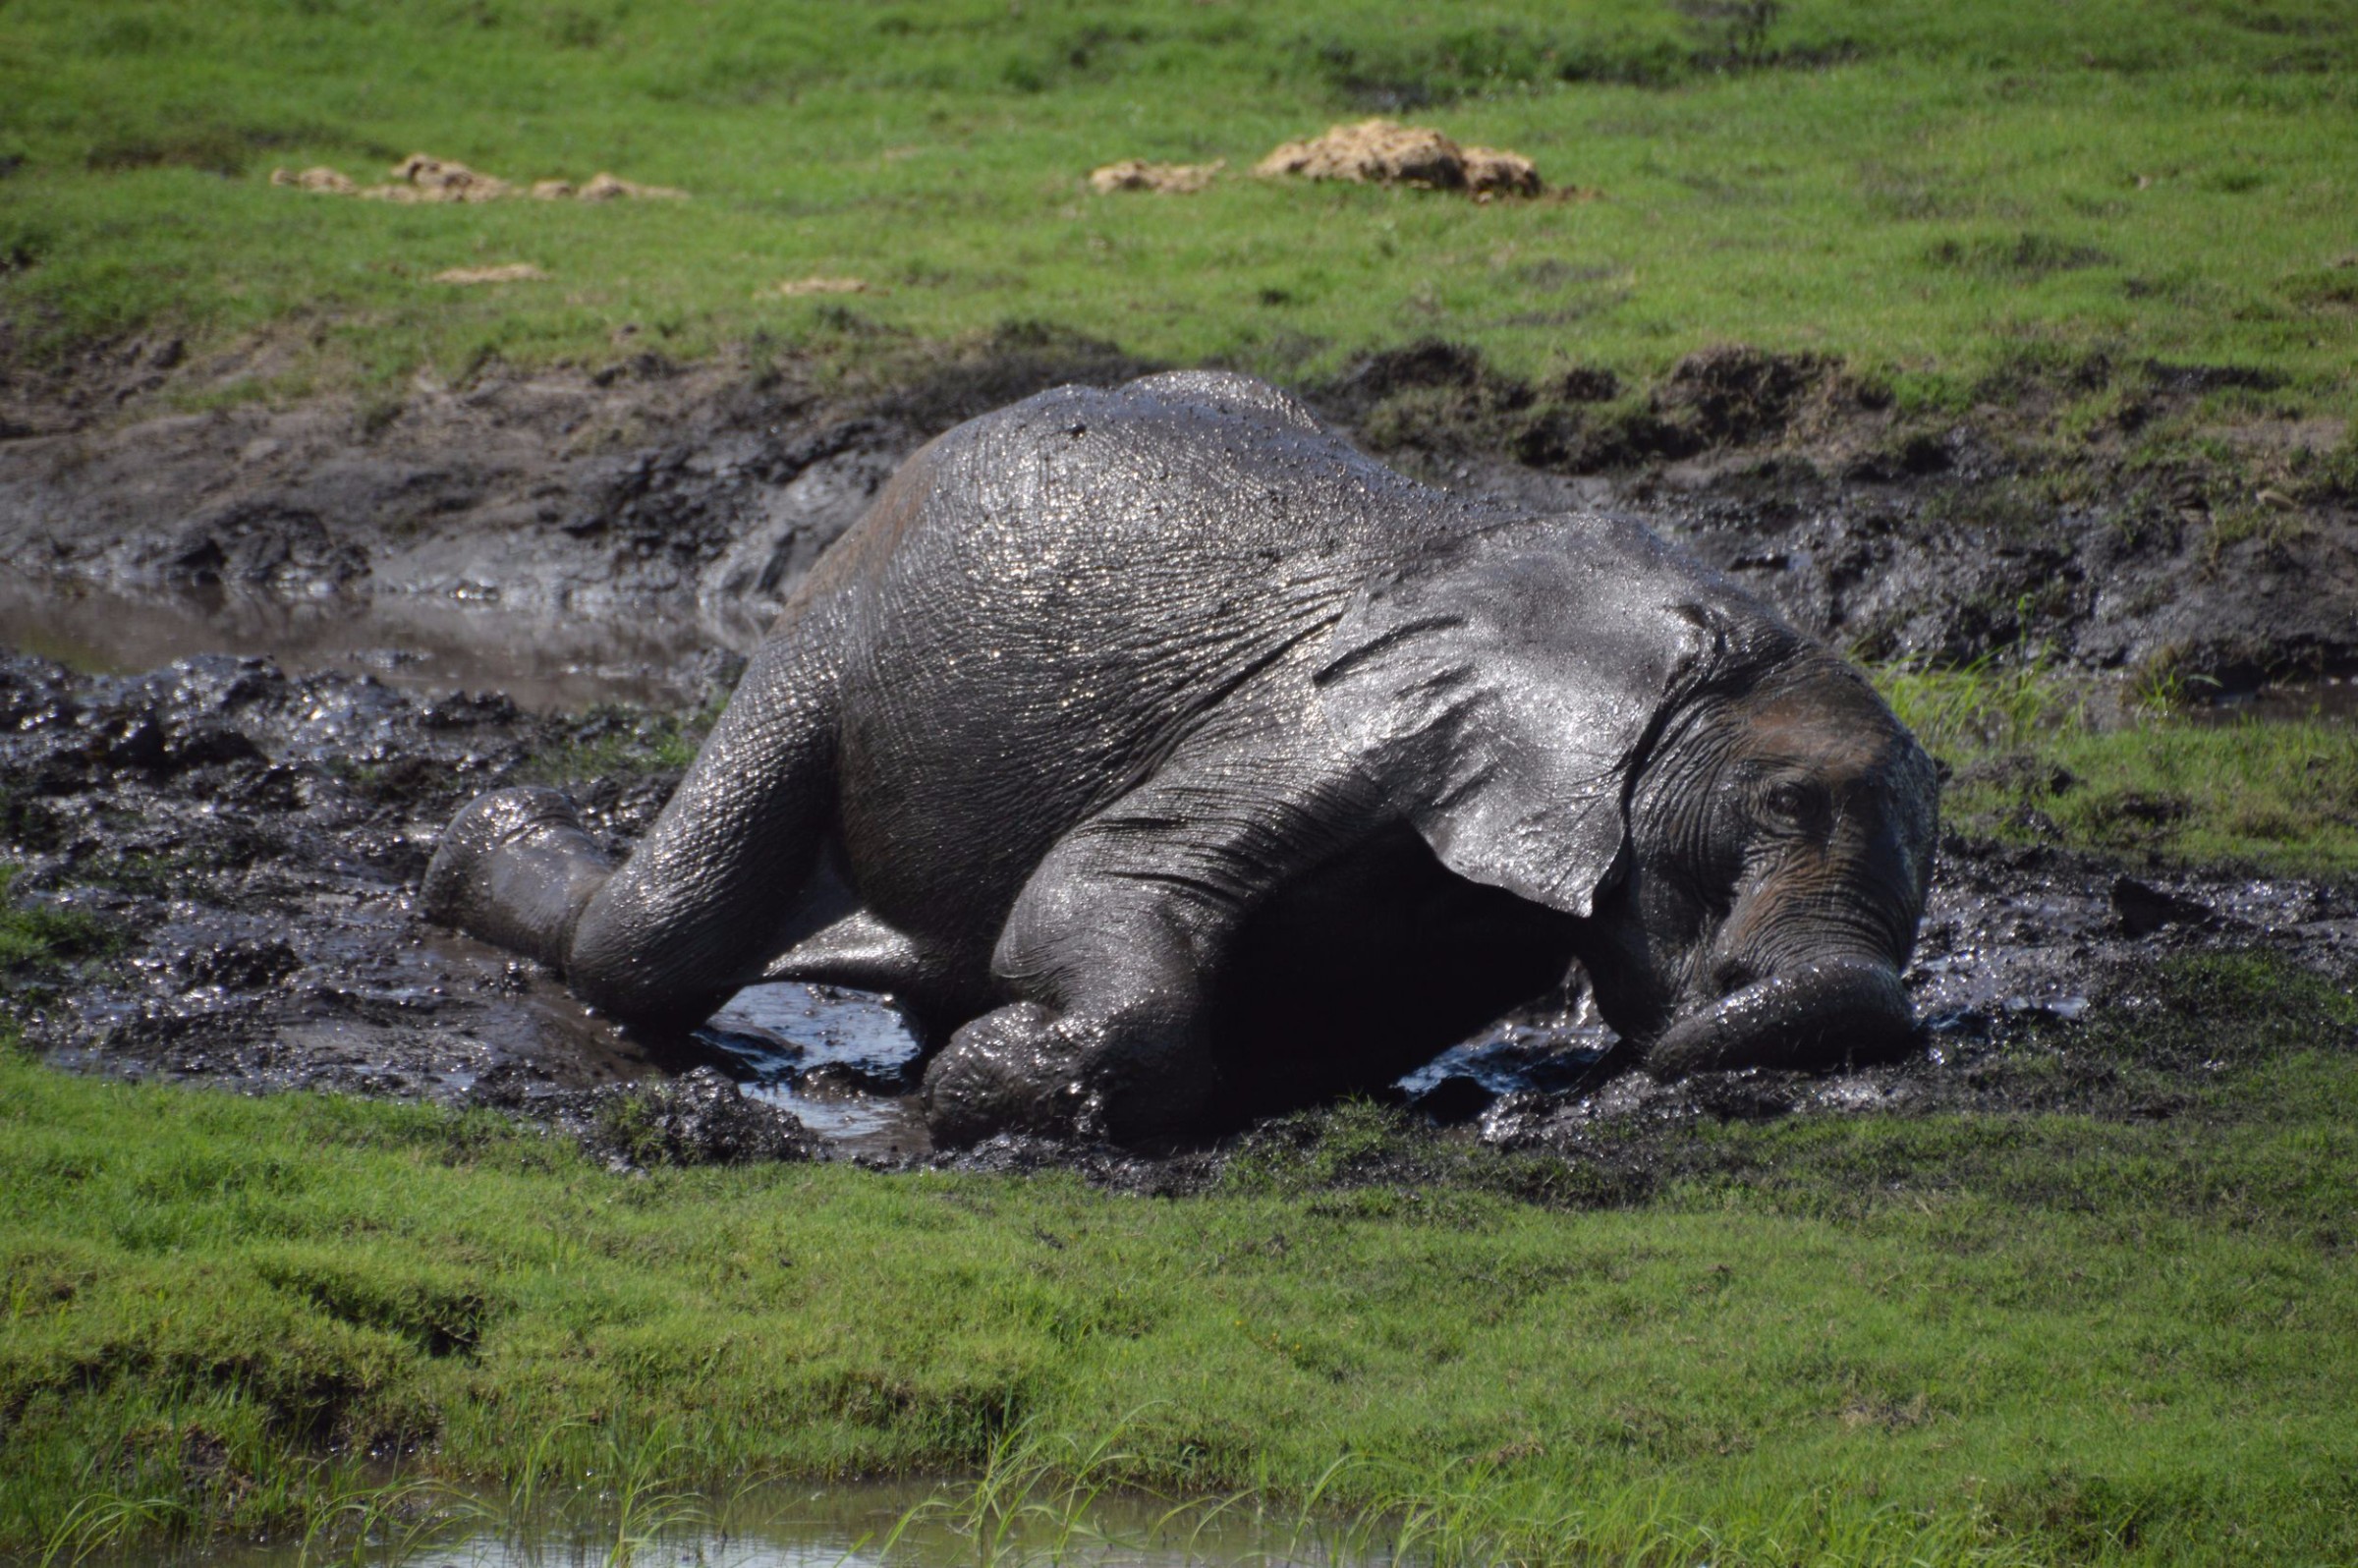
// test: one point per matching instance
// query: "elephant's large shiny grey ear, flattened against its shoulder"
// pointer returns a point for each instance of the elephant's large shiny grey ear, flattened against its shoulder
(1508, 690)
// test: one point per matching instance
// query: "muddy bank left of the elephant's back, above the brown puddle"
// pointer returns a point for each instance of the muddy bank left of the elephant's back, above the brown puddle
(645, 492)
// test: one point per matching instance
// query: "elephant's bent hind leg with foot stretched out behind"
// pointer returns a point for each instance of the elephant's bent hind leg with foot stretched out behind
(699, 909)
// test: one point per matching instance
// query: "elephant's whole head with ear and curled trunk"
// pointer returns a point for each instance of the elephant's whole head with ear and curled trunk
(1581, 716)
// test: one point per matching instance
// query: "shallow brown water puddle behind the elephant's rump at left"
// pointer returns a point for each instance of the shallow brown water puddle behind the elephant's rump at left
(411, 643)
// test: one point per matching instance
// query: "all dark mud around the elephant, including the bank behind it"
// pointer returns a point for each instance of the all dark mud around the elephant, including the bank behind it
(263, 654)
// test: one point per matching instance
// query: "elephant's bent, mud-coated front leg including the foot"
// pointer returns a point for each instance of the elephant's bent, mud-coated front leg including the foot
(1117, 942)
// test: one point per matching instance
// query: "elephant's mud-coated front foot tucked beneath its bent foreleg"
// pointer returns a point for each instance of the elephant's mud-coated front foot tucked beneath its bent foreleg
(1025, 1069)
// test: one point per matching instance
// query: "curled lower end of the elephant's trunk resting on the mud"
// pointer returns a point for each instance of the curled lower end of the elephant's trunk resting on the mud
(1826, 1013)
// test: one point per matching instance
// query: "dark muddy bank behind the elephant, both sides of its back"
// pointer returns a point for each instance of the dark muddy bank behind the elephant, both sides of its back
(692, 499)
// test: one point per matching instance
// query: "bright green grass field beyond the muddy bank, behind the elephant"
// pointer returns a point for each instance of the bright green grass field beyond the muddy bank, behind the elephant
(1932, 192)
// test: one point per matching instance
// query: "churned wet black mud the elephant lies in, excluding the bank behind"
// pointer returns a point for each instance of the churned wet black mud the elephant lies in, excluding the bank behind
(246, 845)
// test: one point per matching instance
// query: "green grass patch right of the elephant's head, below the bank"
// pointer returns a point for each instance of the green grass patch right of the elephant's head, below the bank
(2159, 784)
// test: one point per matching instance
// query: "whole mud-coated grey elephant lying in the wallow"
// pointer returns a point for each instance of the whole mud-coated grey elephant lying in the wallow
(1178, 763)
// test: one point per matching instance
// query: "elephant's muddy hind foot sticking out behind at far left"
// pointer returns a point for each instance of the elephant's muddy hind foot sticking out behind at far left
(515, 869)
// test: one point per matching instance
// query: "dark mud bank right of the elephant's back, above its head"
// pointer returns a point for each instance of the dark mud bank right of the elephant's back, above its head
(1904, 539)
